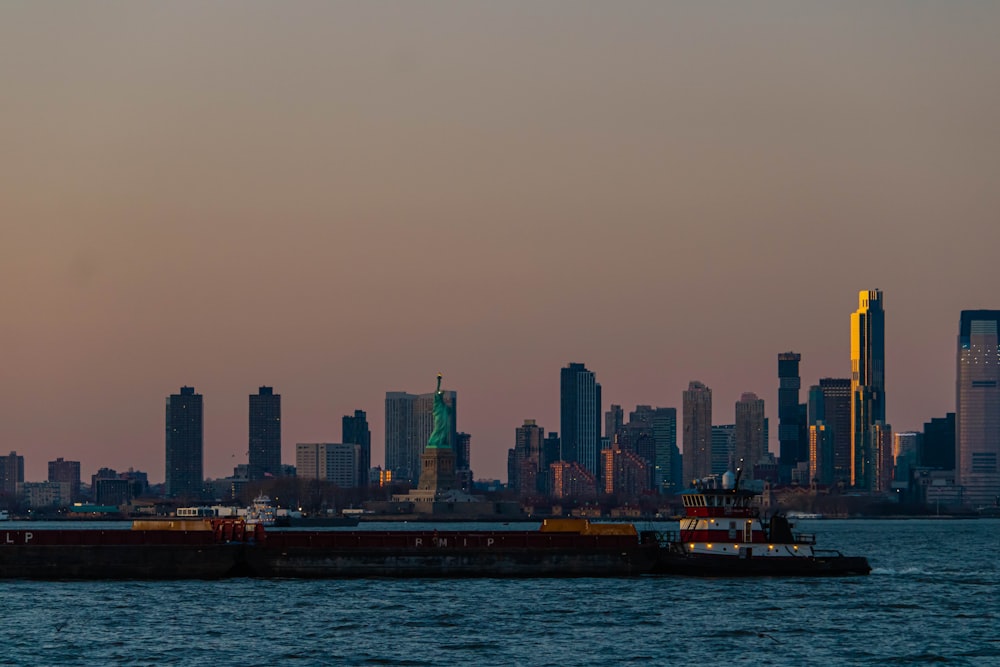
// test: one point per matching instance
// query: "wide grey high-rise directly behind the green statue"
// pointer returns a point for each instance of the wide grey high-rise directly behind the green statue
(409, 422)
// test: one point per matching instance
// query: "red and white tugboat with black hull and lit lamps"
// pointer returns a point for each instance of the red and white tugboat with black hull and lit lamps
(722, 534)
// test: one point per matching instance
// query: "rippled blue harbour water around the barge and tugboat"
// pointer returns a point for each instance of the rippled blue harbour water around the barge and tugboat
(931, 598)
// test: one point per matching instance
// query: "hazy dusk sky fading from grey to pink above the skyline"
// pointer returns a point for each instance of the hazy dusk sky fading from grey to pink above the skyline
(343, 199)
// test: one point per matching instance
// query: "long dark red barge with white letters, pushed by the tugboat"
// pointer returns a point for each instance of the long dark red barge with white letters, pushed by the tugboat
(220, 548)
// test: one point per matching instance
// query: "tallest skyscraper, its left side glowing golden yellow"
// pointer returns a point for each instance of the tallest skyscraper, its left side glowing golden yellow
(867, 386)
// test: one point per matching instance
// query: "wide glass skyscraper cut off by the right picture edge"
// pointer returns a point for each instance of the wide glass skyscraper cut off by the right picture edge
(977, 453)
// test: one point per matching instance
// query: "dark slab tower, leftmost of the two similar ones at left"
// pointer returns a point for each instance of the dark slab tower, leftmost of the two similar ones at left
(185, 466)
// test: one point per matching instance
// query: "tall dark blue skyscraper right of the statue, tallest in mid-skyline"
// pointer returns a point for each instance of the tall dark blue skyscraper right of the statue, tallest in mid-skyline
(580, 416)
